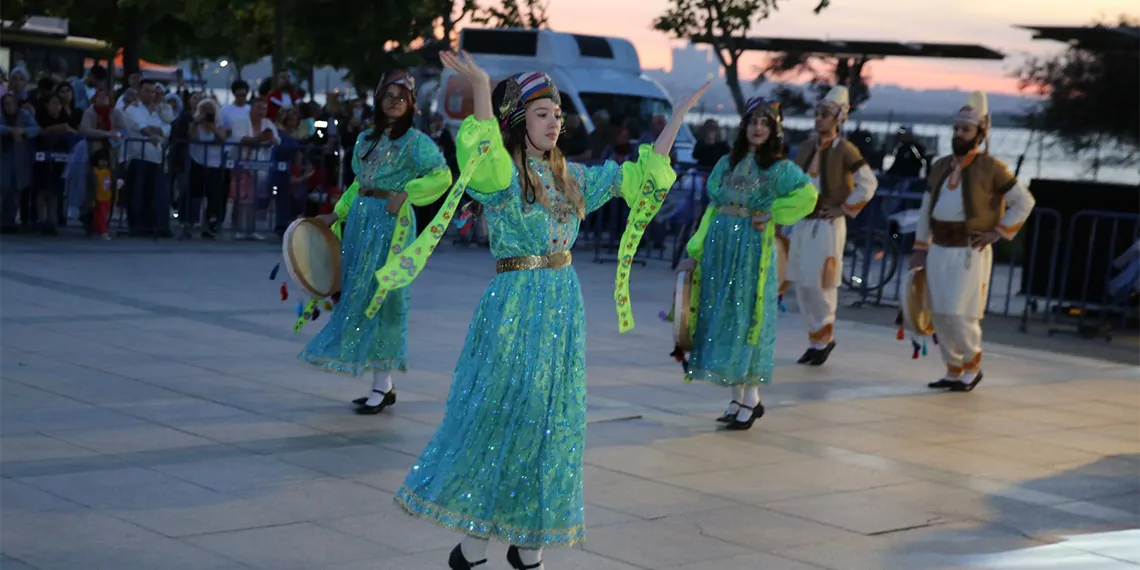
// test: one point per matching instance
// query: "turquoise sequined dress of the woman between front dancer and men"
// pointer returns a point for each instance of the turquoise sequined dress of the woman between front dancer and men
(730, 253)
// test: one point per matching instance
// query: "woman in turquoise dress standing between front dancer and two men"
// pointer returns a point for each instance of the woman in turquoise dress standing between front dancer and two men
(734, 257)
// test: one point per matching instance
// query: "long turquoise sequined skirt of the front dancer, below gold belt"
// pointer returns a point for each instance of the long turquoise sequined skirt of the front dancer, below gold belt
(507, 461)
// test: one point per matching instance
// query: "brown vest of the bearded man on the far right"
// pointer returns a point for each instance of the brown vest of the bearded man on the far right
(984, 185)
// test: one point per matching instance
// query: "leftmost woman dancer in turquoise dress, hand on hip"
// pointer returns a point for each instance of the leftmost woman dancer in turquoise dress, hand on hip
(394, 165)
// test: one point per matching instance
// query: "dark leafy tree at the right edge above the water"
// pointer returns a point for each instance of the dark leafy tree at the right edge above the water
(1089, 100)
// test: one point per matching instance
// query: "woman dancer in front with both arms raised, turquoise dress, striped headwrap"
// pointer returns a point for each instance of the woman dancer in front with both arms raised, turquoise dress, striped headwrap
(507, 461)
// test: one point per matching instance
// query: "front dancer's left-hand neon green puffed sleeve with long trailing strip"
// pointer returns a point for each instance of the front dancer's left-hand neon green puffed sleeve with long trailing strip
(476, 149)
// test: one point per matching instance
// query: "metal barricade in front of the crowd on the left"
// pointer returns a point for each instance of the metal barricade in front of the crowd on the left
(152, 189)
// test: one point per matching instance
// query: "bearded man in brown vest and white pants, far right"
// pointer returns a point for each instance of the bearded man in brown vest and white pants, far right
(972, 202)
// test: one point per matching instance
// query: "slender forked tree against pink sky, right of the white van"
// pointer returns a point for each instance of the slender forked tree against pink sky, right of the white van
(724, 25)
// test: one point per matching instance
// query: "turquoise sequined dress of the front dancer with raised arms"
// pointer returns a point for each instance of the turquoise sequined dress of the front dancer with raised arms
(507, 461)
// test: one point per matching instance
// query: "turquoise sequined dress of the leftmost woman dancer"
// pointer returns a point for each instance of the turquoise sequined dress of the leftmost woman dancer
(351, 343)
